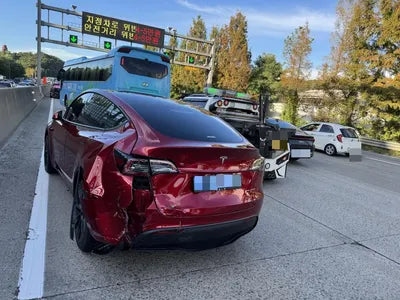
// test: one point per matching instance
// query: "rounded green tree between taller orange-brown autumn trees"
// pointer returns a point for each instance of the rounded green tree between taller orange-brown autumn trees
(265, 76)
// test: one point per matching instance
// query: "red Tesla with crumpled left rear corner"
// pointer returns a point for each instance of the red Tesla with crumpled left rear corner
(149, 209)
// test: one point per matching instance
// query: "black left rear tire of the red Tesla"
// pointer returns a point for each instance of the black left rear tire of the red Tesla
(81, 232)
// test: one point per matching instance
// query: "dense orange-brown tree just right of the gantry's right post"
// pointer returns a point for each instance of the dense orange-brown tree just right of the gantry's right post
(233, 59)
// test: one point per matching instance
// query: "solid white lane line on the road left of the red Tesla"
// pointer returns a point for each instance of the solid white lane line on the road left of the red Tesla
(31, 278)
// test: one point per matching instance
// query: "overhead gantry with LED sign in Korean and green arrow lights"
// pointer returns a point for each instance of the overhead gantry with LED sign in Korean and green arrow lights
(198, 53)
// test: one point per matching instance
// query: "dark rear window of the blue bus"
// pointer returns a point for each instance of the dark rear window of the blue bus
(144, 67)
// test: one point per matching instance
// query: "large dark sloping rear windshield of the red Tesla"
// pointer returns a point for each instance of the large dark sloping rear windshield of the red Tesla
(175, 119)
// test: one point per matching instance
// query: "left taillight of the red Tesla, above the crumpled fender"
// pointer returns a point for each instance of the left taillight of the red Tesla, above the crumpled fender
(130, 165)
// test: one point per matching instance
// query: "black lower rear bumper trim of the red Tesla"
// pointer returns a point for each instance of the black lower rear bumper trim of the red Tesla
(197, 237)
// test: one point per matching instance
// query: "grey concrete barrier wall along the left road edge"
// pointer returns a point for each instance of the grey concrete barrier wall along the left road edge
(15, 105)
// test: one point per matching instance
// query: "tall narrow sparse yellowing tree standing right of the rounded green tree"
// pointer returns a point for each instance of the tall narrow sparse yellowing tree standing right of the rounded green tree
(297, 48)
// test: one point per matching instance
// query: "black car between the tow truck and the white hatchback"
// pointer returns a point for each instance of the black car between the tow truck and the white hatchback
(301, 143)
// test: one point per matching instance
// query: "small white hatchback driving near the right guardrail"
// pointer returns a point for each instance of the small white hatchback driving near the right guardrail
(333, 138)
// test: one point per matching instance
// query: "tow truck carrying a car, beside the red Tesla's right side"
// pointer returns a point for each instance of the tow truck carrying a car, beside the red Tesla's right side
(247, 116)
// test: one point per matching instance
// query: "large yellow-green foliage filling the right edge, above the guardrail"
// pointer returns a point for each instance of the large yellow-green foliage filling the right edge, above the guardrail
(363, 86)
